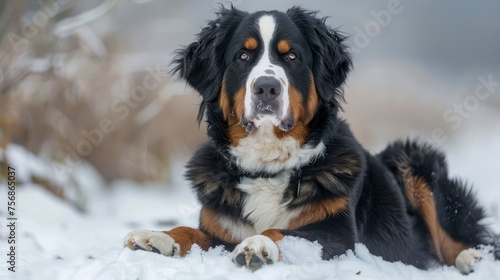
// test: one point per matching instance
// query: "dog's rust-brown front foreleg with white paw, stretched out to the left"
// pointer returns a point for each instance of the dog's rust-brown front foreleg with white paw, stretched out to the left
(176, 242)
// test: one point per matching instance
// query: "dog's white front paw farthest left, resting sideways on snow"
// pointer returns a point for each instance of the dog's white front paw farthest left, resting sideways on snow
(153, 241)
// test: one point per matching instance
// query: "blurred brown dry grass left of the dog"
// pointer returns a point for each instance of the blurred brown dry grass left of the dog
(62, 87)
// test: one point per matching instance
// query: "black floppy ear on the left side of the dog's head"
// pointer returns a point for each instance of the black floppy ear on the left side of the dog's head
(201, 63)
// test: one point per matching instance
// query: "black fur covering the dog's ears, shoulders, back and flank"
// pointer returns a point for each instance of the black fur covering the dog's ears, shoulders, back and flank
(379, 214)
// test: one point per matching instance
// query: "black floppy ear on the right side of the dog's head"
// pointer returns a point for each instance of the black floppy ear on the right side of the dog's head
(331, 60)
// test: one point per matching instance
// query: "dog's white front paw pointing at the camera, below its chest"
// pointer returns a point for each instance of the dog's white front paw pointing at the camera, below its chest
(255, 251)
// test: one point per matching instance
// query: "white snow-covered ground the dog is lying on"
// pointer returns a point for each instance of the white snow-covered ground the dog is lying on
(55, 241)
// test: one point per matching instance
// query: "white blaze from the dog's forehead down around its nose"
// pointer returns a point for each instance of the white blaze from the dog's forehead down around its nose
(267, 28)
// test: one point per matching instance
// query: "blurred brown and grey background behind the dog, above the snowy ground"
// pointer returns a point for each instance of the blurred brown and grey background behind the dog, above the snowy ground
(85, 89)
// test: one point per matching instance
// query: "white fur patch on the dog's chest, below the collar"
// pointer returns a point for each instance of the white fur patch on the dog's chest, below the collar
(264, 205)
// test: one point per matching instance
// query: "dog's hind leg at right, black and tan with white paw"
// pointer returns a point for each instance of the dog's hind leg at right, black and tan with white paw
(446, 205)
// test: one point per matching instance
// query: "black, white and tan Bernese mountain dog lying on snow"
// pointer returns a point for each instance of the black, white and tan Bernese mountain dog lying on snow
(281, 162)
